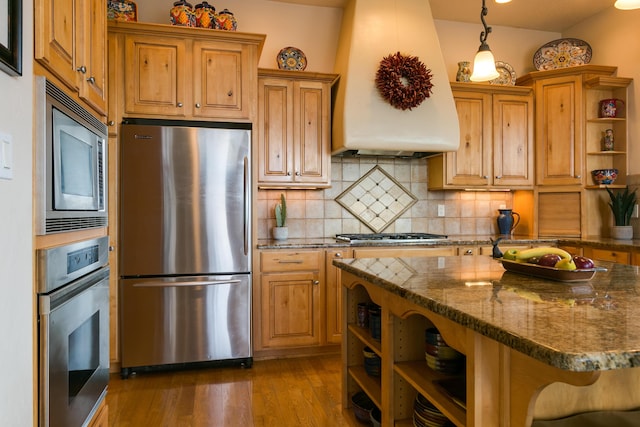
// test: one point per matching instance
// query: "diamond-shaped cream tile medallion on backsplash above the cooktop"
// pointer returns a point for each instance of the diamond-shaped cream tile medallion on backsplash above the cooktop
(376, 199)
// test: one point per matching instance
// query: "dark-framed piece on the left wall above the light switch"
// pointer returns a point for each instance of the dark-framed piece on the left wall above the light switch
(11, 37)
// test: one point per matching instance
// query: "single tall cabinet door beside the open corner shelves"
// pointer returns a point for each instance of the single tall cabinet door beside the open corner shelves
(559, 131)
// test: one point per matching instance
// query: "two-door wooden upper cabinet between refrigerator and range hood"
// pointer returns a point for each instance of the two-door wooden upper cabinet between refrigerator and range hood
(294, 129)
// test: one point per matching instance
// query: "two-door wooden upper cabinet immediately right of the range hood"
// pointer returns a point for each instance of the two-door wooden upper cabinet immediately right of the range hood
(496, 140)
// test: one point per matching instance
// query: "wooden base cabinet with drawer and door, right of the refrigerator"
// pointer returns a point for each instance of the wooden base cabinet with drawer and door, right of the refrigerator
(291, 285)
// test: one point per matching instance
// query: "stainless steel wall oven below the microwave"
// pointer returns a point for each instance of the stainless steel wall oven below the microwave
(73, 329)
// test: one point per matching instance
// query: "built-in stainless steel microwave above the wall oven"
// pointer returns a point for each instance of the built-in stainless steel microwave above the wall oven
(71, 163)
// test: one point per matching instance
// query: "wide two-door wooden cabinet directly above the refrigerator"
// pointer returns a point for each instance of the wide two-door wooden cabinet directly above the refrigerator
(187, 73)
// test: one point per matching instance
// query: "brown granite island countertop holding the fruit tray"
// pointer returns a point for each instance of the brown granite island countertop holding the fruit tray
(576, 326)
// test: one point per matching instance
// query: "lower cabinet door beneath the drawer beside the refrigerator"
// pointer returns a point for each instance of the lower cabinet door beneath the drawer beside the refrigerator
(290, 309)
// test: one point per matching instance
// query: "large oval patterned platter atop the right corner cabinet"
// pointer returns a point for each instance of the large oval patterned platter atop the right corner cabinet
(562, 53)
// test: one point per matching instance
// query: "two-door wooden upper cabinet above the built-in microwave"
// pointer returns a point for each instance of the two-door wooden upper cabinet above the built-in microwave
(70, 42)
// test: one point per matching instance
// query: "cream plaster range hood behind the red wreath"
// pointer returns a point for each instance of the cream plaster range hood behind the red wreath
(364, 123)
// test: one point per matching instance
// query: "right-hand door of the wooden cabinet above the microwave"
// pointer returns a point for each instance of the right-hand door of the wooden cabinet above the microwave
(93, 68)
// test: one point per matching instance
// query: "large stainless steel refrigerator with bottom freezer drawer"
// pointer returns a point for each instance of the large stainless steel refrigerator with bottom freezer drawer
(184, 243)
